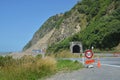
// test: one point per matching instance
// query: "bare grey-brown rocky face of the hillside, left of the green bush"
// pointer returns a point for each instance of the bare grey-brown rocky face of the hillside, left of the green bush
(64, 26)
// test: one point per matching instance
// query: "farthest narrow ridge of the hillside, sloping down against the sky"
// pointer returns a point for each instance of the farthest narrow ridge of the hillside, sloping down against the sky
(48, 26)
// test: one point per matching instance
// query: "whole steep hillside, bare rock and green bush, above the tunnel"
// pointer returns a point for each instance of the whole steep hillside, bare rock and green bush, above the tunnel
(94, 22)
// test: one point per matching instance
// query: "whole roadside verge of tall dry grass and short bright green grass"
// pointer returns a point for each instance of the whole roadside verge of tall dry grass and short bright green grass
(33, 68)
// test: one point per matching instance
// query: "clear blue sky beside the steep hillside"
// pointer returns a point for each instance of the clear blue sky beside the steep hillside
(20, 19)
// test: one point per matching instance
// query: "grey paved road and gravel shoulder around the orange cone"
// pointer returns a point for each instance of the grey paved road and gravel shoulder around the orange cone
(109, 70)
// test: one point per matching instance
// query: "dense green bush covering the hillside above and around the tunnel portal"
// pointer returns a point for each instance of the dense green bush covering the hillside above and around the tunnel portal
(103, 28)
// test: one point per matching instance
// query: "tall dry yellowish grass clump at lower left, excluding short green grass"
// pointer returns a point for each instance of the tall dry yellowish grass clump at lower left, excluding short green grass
(28, 68)
